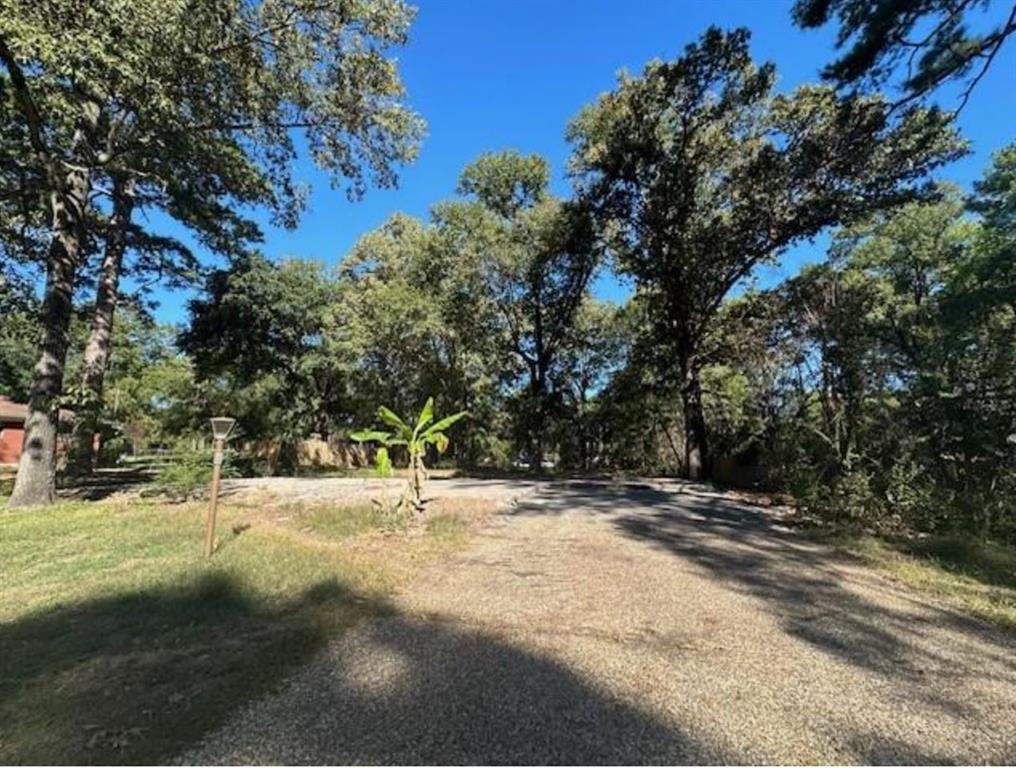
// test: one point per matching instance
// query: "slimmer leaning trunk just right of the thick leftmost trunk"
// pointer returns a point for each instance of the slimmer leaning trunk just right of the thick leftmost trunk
(97, 353)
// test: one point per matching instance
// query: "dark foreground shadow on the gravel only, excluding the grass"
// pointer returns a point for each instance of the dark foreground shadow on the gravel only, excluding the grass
(403, 691)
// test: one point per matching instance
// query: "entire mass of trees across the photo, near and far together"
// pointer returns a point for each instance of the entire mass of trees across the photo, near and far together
(877, 387)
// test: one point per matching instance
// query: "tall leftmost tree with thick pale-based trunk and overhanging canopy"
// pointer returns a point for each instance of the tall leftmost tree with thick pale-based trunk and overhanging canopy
(105, 92)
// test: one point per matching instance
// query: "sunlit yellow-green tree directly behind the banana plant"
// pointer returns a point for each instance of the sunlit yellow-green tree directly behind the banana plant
(415, 319)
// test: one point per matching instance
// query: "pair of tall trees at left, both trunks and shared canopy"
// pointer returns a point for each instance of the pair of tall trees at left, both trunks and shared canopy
(197, 109)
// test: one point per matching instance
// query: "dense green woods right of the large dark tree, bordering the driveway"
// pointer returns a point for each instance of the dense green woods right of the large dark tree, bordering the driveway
(882, 383)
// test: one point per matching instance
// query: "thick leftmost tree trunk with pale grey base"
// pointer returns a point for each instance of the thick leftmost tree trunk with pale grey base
(36, 482)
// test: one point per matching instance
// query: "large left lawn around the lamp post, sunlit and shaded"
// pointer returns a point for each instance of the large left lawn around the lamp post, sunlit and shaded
(121, 644)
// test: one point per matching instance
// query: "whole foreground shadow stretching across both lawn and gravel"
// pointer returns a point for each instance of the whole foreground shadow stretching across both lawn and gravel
(146, 677)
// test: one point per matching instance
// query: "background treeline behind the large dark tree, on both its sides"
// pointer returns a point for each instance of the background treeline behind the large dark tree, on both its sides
(878, 387)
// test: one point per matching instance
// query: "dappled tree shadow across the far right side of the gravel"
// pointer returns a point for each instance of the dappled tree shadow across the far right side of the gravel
(803, 585)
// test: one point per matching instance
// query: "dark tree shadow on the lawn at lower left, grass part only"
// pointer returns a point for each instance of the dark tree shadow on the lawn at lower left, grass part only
(137, 678)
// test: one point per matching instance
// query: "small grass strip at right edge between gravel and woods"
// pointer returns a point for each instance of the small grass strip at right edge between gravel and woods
(978, 578)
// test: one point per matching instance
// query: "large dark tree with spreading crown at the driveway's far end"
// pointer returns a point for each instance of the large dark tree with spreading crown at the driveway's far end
(698, 171)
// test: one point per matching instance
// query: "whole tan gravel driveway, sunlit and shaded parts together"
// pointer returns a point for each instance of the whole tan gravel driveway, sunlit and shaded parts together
(644, 623)
